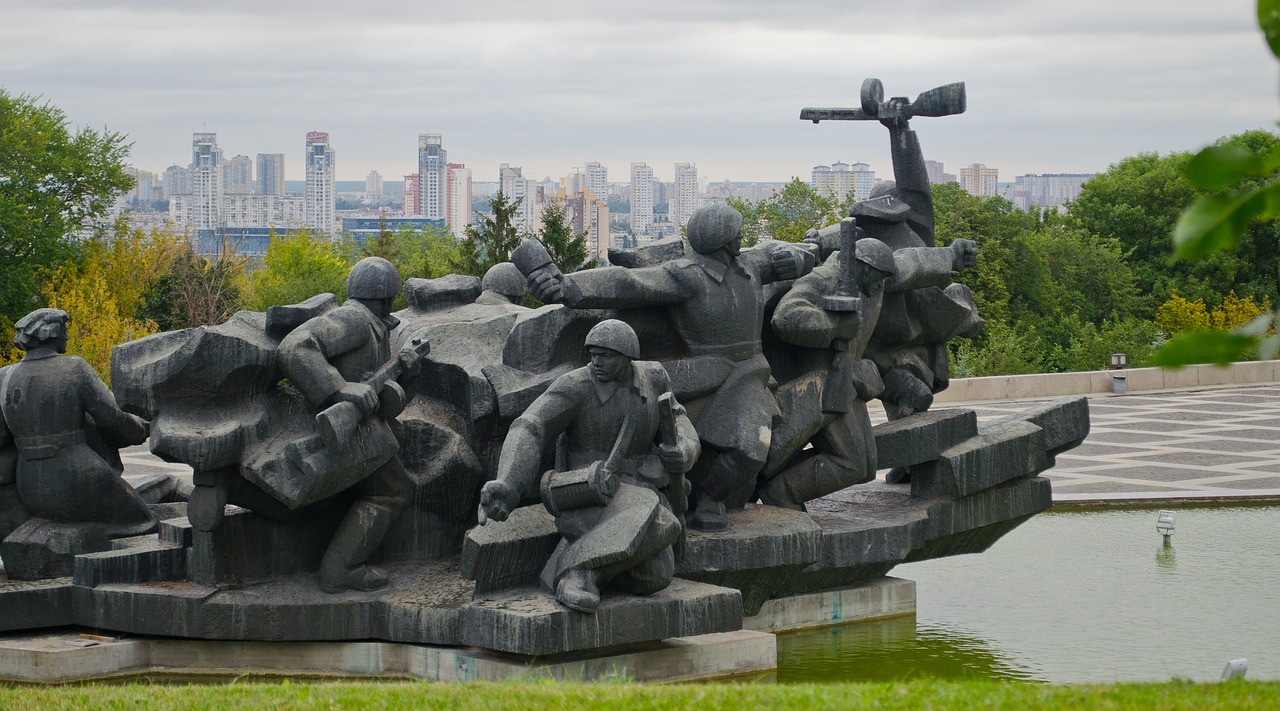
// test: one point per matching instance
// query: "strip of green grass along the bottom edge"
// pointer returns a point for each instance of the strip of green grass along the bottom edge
(621, 696)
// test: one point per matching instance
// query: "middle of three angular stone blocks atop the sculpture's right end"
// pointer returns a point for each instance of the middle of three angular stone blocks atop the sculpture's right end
(1000, 453)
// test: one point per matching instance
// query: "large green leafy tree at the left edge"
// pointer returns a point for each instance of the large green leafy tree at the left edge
(53, 184)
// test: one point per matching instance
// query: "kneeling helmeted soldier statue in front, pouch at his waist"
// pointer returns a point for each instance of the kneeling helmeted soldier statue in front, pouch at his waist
(625, 539)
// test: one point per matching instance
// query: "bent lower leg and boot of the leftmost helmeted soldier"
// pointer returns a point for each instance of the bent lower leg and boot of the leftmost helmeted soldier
(358, 537)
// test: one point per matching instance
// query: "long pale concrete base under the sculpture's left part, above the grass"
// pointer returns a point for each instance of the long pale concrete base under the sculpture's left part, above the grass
(67, 657)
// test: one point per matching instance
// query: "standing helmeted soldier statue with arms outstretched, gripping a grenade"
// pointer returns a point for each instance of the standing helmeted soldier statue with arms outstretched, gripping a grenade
(715, 300)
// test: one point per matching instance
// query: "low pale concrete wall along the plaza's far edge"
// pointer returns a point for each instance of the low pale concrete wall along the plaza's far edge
(1137, 380)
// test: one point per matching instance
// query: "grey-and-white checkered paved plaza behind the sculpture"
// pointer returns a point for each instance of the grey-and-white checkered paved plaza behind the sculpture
(1206, 444)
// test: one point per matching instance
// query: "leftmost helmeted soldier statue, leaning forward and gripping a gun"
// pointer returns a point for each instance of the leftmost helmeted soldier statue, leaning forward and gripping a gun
(327, 359)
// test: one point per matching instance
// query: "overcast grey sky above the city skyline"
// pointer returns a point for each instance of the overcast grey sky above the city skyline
(1054, 88)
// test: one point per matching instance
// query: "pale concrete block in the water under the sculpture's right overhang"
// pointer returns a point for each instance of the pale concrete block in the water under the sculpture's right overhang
(883, 598)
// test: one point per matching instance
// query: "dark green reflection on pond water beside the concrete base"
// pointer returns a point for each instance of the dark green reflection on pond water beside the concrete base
(892, 650)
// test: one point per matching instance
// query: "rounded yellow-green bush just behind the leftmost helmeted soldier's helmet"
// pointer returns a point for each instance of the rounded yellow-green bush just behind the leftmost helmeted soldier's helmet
(295, 268)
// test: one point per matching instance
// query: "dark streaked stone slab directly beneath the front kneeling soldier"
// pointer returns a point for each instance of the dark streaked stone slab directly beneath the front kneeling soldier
(529, 622)
